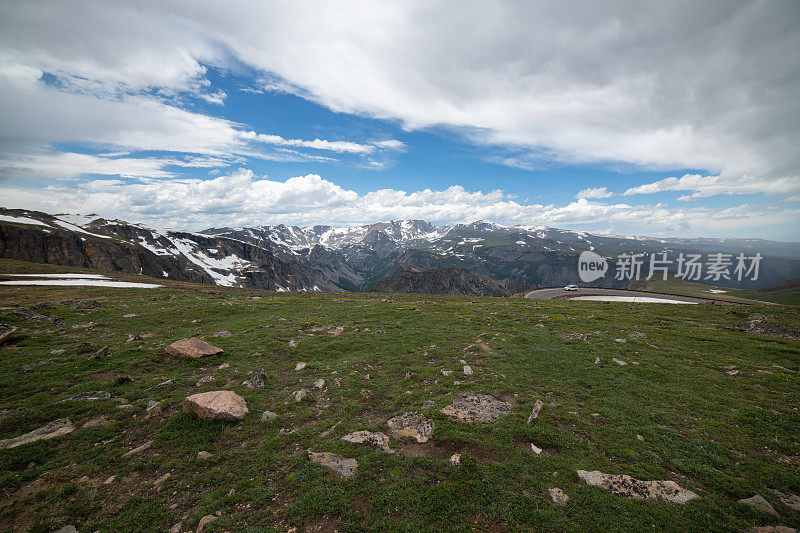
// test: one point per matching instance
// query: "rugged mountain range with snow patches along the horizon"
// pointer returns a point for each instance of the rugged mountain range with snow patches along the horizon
(398, 256)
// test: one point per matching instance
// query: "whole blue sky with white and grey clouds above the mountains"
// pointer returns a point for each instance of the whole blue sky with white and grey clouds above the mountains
(649, 118)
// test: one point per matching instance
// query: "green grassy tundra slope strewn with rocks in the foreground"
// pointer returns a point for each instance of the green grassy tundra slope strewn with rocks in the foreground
(723, 436)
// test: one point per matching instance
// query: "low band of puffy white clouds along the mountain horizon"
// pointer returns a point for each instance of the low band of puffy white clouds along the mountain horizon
(241, 198)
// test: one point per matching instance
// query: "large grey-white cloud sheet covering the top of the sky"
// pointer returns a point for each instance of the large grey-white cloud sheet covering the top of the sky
(666, 85)
